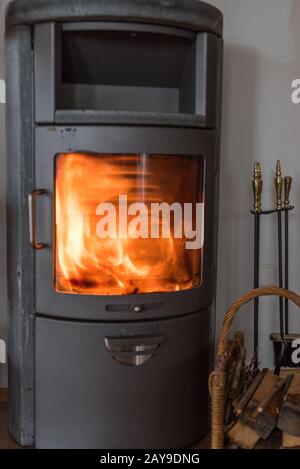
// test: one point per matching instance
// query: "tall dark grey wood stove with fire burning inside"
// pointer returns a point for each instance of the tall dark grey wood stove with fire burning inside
(110, 103)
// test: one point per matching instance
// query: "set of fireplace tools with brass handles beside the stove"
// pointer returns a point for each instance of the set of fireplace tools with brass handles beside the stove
(282, 341)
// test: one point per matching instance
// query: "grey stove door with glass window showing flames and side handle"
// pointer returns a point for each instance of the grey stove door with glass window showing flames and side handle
(98, 213)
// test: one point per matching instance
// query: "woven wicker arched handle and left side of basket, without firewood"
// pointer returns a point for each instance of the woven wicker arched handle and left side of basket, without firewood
(217, 379)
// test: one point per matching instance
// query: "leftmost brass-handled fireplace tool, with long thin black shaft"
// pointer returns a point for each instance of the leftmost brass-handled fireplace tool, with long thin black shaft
(257, 190)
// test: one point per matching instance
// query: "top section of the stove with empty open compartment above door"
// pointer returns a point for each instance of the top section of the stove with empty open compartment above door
(124, 62)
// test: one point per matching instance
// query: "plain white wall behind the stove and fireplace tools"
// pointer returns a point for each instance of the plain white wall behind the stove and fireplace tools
(262, 57)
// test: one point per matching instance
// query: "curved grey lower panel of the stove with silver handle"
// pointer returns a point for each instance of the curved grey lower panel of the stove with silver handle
(88, 396)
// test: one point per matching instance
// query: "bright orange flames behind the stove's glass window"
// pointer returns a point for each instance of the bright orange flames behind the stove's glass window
(88, 264)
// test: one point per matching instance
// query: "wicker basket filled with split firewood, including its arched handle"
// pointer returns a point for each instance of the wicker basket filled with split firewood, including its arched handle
(249, 404)
